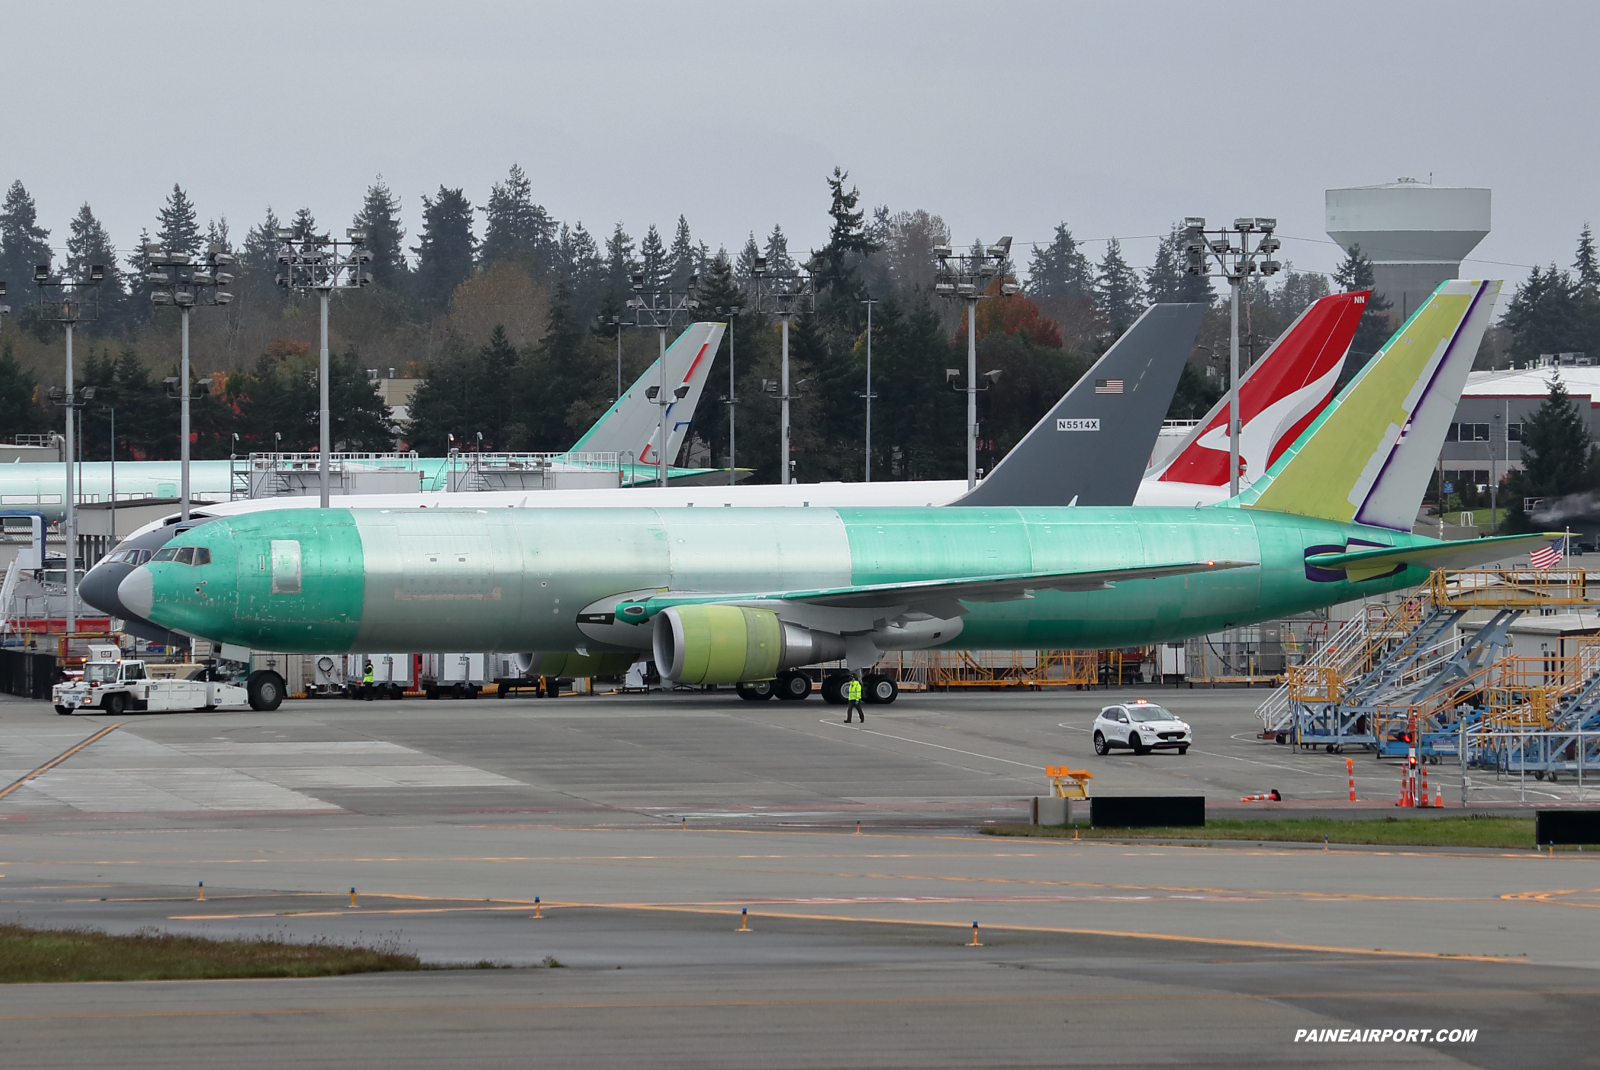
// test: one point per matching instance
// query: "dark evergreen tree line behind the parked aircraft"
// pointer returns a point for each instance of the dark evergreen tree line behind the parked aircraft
(513, 333)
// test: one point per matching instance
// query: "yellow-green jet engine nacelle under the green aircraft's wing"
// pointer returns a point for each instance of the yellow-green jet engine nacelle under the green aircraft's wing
(735, 645)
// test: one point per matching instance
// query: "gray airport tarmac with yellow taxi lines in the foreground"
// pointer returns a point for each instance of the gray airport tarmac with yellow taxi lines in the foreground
(646, 824)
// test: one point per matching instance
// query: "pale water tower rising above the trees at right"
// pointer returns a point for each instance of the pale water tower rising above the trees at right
(1415, 234)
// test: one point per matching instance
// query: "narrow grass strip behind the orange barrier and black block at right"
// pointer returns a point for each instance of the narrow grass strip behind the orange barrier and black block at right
(1415, 832)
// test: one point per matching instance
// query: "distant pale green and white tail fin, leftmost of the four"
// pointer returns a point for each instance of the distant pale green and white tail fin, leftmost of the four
(633, 425)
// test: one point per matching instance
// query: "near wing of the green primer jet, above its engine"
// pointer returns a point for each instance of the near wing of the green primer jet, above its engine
(946, 593)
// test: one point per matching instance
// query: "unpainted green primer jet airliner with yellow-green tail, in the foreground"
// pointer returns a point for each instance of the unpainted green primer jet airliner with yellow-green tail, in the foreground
(745, 596)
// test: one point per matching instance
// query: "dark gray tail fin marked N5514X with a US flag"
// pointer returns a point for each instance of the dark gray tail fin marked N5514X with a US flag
(1095, 445)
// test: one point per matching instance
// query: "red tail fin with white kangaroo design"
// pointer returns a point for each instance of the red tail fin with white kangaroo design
(1278, 399)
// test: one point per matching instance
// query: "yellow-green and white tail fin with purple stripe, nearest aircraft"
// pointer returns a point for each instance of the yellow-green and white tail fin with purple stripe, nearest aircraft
(1369, 457)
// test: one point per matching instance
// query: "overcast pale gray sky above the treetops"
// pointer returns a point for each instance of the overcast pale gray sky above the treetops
(1004, 119)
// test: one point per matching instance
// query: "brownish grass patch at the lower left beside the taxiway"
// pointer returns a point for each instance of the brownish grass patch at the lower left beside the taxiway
(41, 956)
